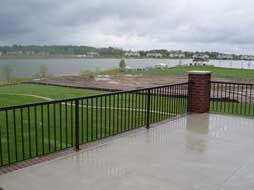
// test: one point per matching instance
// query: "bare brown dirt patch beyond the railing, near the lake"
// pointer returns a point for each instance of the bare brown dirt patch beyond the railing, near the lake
(119, 82)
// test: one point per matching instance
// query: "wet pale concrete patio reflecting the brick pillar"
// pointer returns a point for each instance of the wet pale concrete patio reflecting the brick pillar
(198, 151)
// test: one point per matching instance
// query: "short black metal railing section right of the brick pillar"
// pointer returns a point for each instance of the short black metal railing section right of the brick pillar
(232, 98)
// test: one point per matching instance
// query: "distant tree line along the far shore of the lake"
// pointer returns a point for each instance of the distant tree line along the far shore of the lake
(108, 52)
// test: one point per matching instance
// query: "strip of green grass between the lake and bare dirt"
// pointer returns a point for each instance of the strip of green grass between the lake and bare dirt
(183, 70)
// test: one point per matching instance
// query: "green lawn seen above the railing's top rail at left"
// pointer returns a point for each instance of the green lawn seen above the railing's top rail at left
(15, 94)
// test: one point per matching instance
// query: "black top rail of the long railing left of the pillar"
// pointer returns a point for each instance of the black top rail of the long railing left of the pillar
(5, 108)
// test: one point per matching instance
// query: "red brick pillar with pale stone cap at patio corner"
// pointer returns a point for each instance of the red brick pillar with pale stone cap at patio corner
(199, 91)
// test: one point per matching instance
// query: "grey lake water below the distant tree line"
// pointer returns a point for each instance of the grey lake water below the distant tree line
(28, 67)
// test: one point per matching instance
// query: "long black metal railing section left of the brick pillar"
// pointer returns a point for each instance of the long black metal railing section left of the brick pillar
(33, 130)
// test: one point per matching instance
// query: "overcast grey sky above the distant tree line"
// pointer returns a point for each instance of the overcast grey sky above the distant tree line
(212, 25)
